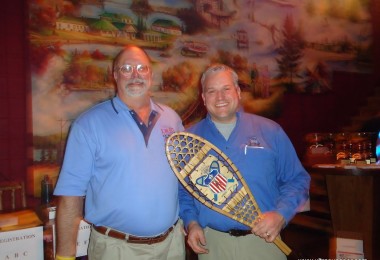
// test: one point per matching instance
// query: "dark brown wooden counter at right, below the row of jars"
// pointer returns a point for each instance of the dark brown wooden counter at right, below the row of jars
(353, 194)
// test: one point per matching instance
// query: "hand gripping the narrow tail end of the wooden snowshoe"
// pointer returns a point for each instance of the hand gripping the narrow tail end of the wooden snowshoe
(269, 226)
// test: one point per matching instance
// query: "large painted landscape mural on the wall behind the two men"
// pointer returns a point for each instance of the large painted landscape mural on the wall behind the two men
(276, 46)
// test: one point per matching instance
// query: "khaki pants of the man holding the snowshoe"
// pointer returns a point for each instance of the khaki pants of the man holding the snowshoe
(223, 246)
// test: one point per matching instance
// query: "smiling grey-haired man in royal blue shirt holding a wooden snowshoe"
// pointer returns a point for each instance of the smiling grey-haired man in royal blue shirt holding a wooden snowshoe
(266, 159)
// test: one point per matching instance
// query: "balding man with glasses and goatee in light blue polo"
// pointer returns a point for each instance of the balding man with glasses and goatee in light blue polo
(115, 162)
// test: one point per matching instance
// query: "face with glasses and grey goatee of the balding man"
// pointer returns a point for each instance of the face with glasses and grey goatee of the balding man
(133, 74)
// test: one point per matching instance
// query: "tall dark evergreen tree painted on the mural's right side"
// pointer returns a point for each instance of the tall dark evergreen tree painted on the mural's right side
(290, 54)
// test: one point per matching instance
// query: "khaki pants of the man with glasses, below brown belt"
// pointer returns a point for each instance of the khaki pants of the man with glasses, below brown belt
(102, 247)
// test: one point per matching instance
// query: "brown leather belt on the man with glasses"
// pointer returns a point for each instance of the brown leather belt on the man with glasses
(133, 239)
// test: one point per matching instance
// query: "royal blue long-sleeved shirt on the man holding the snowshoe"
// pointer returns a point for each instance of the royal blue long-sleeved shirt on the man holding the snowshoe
(265, 157)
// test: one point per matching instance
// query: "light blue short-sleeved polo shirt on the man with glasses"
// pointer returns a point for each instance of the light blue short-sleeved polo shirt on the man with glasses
(121, 168)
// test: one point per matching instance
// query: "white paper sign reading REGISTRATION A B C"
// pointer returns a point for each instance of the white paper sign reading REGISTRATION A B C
(26, 244)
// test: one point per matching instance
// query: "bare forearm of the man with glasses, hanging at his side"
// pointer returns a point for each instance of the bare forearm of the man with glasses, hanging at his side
(69, 215)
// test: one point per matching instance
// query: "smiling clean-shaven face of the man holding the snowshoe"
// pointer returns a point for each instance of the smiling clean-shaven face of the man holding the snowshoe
(221, 97)
